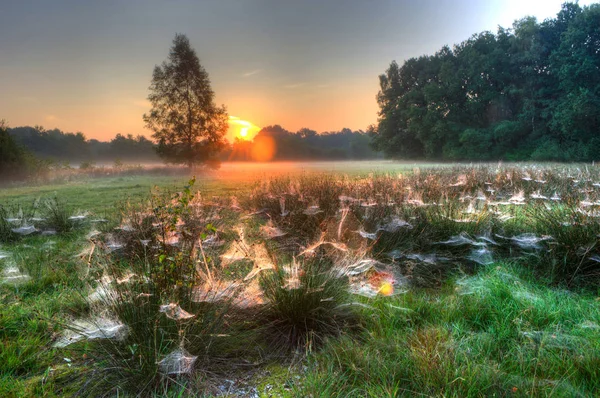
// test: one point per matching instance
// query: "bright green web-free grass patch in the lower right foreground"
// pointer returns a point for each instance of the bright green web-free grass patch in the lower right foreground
(494, 334)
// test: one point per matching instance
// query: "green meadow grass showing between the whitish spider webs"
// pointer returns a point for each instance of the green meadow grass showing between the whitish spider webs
(526, 325)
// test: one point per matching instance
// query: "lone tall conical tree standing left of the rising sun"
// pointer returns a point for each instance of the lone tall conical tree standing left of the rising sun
(187, 124)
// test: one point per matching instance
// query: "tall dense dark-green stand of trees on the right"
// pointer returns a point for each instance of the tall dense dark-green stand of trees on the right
(527, 93)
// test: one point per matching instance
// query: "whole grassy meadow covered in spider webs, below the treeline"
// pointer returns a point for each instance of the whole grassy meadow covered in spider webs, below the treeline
(324, 279)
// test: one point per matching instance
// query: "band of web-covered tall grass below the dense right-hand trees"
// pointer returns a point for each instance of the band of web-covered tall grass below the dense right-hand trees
(487, 206)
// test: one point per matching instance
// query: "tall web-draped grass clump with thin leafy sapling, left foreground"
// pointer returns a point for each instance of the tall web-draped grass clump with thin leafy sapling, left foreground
(151, 290)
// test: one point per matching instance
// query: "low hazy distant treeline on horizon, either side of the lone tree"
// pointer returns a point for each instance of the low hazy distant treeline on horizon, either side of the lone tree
(304, 144)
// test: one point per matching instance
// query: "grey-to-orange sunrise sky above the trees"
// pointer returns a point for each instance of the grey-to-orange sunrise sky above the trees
(86, 65)
